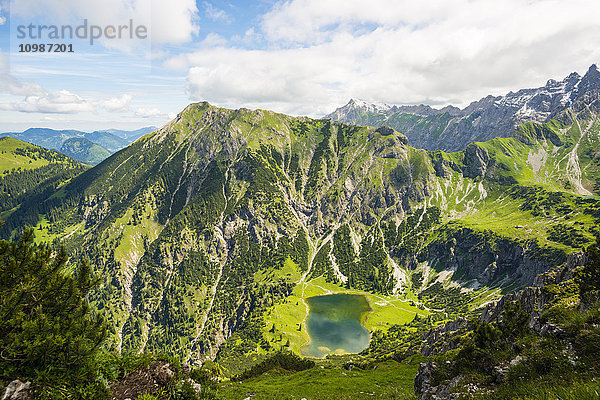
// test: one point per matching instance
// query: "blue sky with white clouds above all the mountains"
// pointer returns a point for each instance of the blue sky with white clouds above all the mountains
(299, 57)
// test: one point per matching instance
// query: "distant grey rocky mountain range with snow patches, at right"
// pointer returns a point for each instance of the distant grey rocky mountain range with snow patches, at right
(452, 129)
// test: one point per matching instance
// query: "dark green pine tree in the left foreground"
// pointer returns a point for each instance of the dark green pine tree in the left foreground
(48, 333)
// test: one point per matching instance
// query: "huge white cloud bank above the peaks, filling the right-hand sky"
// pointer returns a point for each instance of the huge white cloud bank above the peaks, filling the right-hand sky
(321, 53)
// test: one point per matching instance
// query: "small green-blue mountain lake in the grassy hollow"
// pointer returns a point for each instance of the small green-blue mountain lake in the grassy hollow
(334, 324)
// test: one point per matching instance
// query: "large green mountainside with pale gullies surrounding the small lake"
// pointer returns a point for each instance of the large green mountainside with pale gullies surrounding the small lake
(212, 230)
